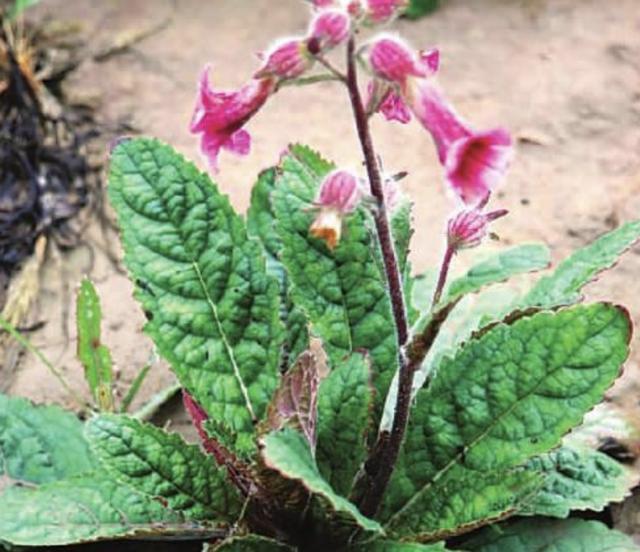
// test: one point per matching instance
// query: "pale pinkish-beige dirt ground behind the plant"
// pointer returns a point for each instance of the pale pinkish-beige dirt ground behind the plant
(563, 75)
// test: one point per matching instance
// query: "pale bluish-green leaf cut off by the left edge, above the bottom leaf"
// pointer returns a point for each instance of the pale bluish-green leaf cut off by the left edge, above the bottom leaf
(39, 444)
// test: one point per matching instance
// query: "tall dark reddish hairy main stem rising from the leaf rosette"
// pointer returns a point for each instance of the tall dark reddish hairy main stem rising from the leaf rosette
(388, 455)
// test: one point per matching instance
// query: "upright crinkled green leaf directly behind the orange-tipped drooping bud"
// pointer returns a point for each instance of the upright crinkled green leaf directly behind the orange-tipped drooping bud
(342, 291)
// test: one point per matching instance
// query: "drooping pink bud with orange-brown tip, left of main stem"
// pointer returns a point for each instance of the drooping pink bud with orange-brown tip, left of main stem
(339, 195)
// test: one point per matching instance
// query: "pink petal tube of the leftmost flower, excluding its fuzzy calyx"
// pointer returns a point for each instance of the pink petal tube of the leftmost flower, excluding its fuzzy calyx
(220, 115)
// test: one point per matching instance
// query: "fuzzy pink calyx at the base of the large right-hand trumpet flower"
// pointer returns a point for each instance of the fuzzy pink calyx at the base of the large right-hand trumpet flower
(393, 60)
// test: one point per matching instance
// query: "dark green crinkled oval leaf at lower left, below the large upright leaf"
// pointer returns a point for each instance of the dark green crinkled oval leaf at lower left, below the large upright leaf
(161, 465)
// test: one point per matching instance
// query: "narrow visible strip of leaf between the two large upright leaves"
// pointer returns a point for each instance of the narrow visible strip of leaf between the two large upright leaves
(261, 224)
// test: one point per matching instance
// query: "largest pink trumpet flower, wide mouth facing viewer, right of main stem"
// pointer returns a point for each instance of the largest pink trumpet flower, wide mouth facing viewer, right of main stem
(474, 162)
